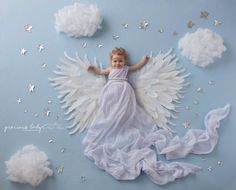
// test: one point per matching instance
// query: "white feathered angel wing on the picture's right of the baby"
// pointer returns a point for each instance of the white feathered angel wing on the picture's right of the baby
(158, 86)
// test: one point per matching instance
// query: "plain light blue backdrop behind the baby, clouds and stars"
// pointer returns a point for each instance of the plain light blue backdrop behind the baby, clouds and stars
(17, 71)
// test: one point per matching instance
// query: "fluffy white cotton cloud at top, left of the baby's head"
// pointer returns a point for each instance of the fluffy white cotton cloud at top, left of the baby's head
(78, 20)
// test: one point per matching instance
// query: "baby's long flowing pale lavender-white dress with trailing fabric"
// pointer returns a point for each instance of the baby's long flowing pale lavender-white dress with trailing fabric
(120, 136)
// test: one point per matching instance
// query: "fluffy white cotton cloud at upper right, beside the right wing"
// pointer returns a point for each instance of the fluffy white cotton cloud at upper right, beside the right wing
(202, 46)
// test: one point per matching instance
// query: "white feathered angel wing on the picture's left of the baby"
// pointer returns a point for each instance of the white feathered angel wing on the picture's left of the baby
(78, 90)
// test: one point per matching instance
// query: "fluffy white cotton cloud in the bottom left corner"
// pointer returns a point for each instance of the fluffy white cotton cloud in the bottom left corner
(28, 165)
